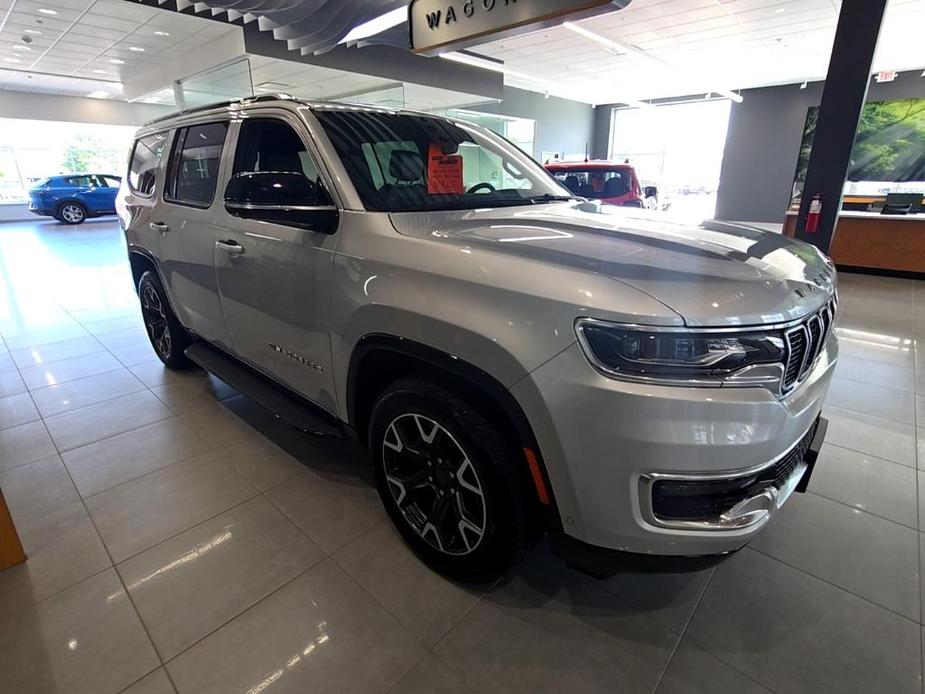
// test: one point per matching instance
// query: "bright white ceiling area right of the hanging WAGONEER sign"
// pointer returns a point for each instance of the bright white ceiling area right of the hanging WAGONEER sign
(710, 44)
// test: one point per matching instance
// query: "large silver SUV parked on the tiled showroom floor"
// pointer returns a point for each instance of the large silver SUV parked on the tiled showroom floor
(513, 356)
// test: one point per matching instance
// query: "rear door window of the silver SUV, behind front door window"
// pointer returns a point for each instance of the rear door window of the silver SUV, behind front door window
(194, 166)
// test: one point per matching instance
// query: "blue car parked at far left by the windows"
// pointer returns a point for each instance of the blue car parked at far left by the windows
(72, 198)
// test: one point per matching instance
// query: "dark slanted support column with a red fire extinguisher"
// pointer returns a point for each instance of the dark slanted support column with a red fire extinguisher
(839, 114)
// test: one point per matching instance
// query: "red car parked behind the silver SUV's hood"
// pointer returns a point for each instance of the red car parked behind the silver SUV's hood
(610, 182)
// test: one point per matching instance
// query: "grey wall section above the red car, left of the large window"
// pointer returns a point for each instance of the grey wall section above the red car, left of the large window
(561, 125)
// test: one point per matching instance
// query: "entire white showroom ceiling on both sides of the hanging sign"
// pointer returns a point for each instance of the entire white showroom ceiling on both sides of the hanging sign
(651, 49)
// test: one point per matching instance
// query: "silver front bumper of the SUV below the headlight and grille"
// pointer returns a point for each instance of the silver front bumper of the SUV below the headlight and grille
(606, 443)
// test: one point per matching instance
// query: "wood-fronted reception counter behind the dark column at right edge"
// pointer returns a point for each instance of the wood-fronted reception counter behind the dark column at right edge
(890, 243)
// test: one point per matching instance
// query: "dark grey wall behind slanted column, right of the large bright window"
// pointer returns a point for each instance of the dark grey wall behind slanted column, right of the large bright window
(763, 144)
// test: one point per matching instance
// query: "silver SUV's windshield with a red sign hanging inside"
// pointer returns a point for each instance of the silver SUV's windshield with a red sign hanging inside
(407, 163)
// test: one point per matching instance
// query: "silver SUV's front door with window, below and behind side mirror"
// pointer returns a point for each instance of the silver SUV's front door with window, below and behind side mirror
(275, 279)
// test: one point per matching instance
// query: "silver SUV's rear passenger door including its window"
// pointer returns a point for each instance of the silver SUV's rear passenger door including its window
(184, 224)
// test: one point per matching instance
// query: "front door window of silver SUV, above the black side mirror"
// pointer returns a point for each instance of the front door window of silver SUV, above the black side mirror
(267, 144)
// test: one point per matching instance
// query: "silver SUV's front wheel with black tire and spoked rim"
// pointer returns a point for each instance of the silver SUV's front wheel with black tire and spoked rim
(435, 495)
